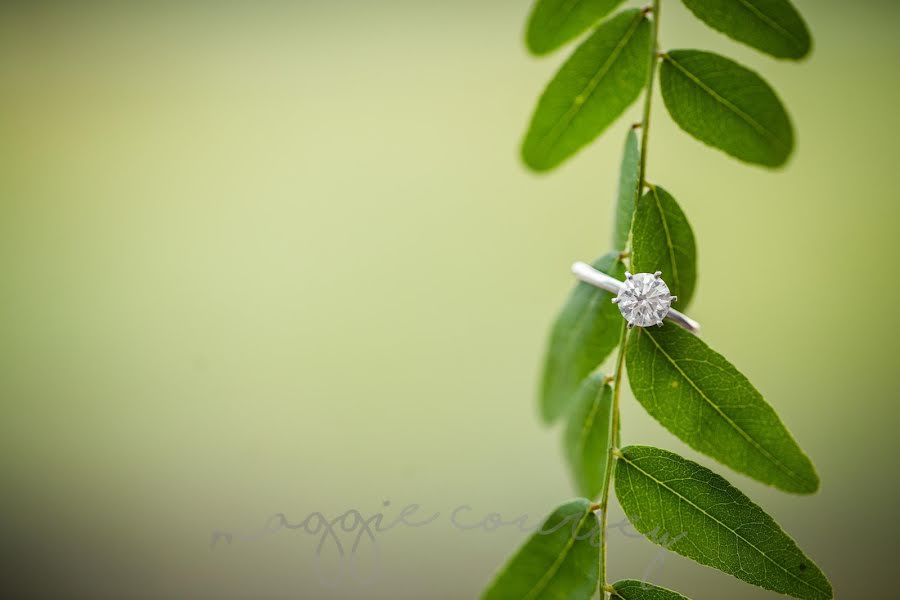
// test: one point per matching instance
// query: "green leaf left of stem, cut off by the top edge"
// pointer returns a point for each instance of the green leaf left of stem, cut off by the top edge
(554, 22)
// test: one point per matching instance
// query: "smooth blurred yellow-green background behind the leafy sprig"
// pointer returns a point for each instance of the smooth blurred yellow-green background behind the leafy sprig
(282, 257)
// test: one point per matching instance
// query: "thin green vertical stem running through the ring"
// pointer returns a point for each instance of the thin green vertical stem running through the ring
(614, 441)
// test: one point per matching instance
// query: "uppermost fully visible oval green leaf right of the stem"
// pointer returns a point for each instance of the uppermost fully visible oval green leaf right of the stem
(725, 105)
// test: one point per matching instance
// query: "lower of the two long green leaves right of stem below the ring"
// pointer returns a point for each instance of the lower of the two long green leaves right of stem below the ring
(690, 510)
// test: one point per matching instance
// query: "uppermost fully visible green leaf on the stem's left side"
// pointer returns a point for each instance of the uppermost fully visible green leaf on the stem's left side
(592, 89)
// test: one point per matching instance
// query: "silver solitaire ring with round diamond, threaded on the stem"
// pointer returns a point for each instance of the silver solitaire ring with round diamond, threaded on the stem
(643, 299)
